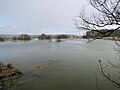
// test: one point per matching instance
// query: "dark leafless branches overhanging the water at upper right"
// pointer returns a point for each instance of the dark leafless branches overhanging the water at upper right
(107, 14)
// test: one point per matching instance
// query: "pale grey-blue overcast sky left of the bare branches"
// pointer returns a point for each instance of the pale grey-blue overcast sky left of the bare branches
(39, 16)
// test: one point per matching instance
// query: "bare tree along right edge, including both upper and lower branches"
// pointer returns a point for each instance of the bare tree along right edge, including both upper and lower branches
(107, 13)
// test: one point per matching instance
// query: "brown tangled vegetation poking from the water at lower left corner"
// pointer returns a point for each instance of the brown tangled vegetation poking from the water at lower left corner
(9, 76)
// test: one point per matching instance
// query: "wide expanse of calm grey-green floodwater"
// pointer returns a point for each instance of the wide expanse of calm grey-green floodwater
(67, 65)
